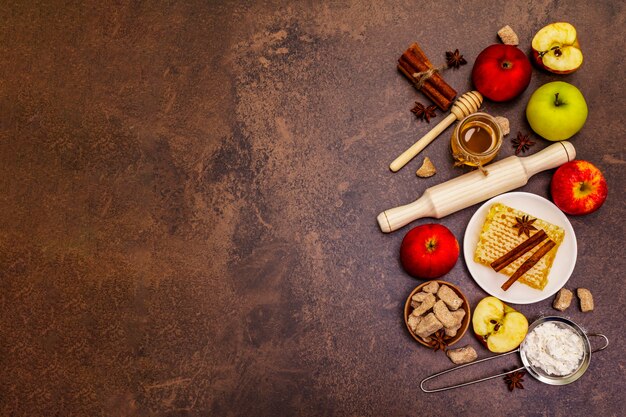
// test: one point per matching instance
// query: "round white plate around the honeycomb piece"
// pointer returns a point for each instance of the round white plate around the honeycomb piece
(564, 262)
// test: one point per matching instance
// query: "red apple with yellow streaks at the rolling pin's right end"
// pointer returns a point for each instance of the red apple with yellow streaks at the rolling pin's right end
(578, 187)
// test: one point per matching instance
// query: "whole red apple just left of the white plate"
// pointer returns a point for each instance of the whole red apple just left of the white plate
(429, 251)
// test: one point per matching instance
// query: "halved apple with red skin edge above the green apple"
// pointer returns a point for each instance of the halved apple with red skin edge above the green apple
(555, 48)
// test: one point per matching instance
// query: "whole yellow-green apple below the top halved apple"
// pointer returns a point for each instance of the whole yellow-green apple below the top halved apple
(556, 117)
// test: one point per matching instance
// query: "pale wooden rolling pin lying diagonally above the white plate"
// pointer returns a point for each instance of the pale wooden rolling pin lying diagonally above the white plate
(474, 187)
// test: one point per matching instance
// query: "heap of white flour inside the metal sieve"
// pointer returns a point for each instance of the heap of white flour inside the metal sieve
(557, 350)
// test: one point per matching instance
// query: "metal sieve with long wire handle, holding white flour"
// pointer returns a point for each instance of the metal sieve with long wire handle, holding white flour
(537, 372)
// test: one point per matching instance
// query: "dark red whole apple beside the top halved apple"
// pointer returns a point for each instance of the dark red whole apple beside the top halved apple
(501, 72)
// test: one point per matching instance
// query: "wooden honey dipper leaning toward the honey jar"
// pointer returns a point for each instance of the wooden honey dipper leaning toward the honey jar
(465, 105)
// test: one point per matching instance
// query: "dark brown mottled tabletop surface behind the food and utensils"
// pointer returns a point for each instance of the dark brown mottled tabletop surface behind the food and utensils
(189, 191)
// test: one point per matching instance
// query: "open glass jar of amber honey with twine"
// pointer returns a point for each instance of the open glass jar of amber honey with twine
(476, 140)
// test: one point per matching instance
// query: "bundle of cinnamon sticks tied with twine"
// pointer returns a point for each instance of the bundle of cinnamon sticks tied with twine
(413, 62)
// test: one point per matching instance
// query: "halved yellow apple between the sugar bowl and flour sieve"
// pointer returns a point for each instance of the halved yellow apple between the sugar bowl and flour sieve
(499, 327)
